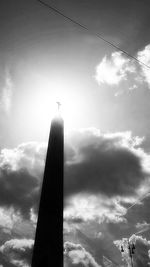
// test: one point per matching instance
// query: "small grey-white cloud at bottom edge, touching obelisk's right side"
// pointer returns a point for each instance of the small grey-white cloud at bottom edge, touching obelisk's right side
(76, 255)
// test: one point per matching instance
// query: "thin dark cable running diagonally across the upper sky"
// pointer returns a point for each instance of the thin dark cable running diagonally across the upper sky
(93, 33)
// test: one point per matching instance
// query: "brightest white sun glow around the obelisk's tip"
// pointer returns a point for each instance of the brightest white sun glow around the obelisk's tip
(45, 106)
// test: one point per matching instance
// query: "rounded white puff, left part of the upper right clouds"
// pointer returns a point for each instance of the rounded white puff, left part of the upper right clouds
(113, 70)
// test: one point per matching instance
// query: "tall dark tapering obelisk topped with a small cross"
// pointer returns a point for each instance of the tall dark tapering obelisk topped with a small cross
(48, 247)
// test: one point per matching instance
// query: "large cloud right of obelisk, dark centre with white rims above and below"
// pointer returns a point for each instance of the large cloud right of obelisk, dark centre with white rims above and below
(106, 173)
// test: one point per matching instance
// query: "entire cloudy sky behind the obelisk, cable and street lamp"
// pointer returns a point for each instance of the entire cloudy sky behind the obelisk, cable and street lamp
(105, 99)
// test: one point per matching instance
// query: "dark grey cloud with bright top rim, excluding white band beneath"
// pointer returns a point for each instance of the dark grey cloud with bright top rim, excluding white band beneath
(104, 165)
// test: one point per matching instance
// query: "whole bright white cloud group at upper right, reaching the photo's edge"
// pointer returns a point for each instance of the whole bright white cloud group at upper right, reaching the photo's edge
(118, 67)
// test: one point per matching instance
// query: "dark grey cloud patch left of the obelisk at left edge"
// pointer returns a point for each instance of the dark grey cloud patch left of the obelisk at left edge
(18, 189)
